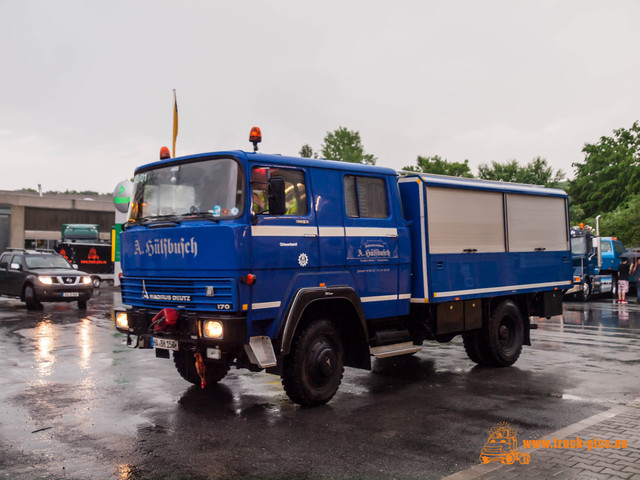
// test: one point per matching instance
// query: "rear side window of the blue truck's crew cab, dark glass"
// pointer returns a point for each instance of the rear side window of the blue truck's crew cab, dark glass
(365, 197)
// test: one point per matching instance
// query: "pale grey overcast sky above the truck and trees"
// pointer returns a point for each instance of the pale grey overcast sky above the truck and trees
(87, 86)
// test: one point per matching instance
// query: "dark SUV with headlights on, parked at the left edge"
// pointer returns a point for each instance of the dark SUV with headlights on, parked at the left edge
(37, 276)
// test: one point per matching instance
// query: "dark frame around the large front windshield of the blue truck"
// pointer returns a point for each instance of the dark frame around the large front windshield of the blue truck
(241, 186)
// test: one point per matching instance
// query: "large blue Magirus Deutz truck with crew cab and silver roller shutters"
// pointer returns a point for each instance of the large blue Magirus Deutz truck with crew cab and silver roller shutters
(301, 267)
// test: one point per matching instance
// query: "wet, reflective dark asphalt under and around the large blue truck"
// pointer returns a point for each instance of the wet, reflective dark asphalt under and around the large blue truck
(76, 403)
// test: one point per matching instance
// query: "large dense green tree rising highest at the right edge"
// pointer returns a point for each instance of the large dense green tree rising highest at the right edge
(609, 173)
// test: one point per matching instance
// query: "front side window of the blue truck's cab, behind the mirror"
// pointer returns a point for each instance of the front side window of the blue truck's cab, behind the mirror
(294, 186)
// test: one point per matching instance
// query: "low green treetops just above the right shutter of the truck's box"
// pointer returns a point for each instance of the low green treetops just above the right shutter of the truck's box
(536, 172)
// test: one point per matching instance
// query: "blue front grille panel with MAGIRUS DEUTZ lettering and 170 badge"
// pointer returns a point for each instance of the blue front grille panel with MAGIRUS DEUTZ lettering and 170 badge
(197, 294)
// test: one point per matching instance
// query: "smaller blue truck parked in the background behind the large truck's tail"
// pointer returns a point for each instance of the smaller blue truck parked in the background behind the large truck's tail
(595, 262)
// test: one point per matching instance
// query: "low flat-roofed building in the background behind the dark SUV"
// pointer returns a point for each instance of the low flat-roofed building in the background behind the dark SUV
(33, 220)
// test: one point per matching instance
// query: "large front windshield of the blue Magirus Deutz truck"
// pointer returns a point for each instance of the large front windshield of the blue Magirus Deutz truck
(208, 188)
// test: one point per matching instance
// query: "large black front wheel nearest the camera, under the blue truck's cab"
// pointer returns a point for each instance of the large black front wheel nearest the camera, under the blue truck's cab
(313, 369)
